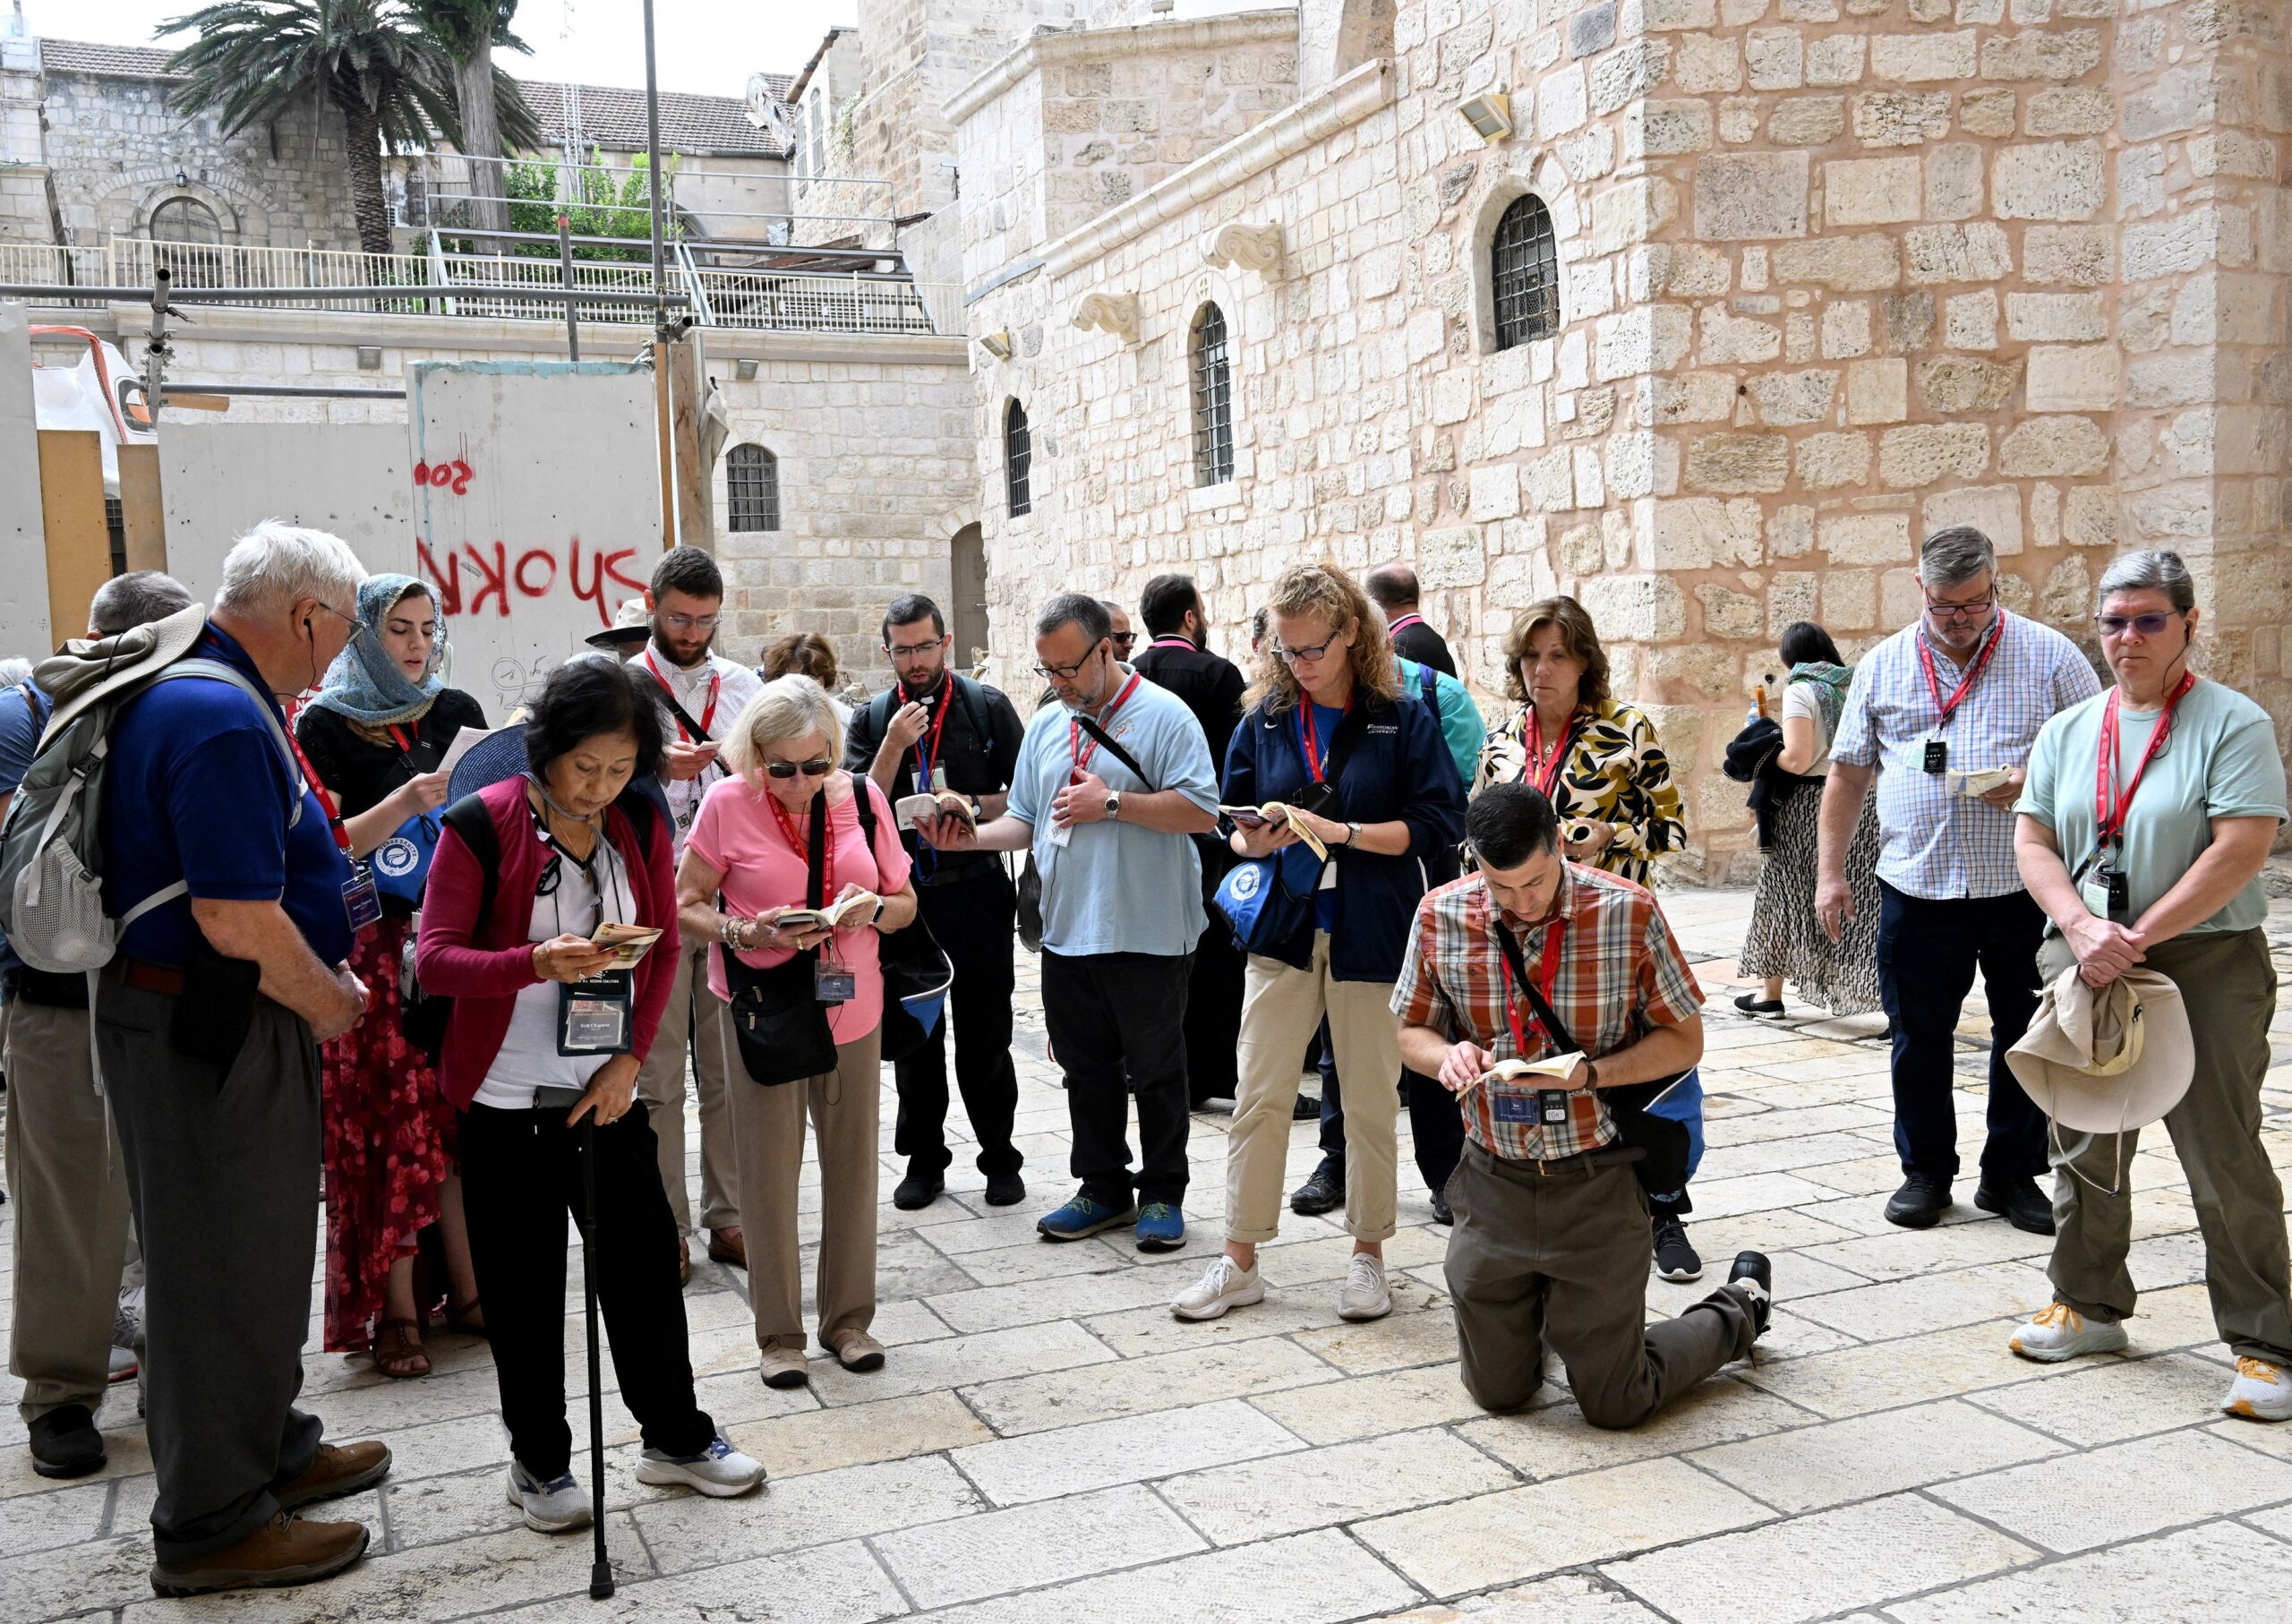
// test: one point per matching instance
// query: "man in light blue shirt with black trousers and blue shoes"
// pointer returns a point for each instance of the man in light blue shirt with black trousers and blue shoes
(1106, 794)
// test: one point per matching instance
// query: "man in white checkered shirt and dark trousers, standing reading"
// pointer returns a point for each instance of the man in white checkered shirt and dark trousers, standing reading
(1961, 693)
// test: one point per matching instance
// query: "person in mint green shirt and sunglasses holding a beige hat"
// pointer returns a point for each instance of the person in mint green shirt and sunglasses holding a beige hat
(2146, 819)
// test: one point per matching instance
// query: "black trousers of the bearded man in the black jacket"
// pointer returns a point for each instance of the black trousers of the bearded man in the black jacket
(975, 924)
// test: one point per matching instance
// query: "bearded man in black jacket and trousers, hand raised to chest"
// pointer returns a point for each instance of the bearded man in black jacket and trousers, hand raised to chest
(932, 732)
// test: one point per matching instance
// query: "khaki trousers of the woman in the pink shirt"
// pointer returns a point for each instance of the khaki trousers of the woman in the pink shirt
(769, 1156)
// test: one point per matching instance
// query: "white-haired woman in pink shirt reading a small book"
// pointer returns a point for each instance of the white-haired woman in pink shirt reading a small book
(748, 862)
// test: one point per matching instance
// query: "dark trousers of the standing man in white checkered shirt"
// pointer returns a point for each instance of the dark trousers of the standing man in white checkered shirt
(1926, 961)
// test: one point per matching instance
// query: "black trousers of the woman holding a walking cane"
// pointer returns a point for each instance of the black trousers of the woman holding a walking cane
(519, 1181)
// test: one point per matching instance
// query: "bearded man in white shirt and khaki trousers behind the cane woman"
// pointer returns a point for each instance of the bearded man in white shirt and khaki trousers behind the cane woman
(700, 697)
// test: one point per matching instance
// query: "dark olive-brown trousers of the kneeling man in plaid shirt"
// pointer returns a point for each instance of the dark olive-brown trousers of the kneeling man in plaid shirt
(1564, 1259)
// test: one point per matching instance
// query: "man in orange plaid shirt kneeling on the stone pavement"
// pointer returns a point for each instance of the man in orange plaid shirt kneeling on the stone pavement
(1551, 1224)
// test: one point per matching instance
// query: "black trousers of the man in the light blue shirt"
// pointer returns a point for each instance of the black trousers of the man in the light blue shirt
(1113, 1018)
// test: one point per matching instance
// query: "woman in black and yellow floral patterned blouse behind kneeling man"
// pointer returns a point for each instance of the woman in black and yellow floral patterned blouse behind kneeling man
(1592, 755)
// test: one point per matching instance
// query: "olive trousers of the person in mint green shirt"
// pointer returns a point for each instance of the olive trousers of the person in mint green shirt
(2229, 986)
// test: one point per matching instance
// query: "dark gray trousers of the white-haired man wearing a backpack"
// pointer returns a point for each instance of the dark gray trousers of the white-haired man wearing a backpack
(223, 1169)
